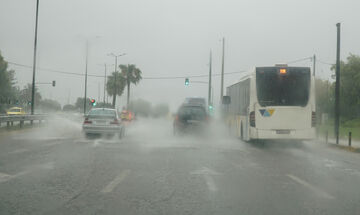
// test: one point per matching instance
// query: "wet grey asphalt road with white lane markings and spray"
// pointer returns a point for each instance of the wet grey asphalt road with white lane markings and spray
(55, 170)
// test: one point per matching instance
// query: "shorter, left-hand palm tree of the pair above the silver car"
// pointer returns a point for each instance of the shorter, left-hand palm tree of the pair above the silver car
(110, 86)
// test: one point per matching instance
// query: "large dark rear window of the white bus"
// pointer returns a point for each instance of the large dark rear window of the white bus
(290, 88)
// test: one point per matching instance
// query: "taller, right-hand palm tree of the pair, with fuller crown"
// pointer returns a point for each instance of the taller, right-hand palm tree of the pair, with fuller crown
(132, 75)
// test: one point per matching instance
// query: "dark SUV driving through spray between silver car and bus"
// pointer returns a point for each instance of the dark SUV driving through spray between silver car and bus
(190, 118)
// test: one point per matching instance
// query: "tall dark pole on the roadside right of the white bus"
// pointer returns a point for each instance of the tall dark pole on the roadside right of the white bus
(337, 85)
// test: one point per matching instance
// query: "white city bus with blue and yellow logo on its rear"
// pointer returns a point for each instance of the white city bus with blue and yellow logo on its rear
(273, 103)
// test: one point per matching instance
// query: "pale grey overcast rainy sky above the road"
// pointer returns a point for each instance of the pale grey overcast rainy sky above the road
(170, 38)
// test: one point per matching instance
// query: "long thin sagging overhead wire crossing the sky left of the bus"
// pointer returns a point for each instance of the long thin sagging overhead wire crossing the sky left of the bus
(102, 76)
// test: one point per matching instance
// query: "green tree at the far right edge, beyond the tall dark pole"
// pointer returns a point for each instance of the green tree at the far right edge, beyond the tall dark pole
(350, 87)
